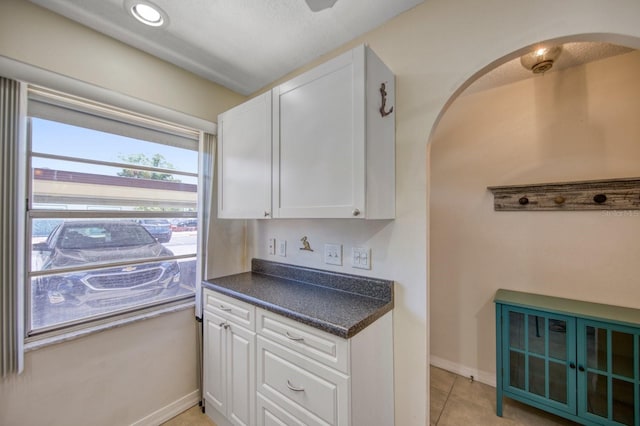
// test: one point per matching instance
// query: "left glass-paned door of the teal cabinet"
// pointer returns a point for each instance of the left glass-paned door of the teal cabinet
(539, 357)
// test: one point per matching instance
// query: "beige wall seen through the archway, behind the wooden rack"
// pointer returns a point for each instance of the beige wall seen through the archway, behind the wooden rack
(577, 124)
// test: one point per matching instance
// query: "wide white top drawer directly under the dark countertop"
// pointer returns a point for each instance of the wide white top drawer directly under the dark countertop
(316, 344)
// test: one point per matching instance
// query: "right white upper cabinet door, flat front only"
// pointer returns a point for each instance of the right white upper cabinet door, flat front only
(319, 141)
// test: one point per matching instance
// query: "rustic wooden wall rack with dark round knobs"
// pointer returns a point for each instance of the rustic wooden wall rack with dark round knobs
(607, 194)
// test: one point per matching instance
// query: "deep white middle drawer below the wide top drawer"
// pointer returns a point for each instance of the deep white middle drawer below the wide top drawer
(301, 386)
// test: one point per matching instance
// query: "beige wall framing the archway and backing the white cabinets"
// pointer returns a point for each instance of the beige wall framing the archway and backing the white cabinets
(434, 49)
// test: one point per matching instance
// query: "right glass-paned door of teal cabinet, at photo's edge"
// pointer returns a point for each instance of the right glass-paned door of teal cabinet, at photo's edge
(608, 377)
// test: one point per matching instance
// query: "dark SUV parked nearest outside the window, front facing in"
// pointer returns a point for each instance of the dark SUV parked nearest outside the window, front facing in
(74, 244)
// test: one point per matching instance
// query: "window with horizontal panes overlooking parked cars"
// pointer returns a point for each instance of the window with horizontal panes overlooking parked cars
(111, 212)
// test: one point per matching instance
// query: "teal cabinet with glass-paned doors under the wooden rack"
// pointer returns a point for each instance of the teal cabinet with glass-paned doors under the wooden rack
(578, 360)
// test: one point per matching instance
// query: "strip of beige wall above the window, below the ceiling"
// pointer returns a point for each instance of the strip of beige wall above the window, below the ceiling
(36, 36)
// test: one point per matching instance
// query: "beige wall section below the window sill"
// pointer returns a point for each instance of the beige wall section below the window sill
(111, 378)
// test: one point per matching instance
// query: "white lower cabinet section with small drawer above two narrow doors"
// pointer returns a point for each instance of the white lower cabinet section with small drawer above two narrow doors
(229, 354)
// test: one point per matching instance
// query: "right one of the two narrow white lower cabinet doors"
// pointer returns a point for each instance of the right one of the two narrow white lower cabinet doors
(241, 385)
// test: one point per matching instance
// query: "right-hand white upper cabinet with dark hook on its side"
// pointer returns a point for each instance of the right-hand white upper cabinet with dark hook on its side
(334, 152)
